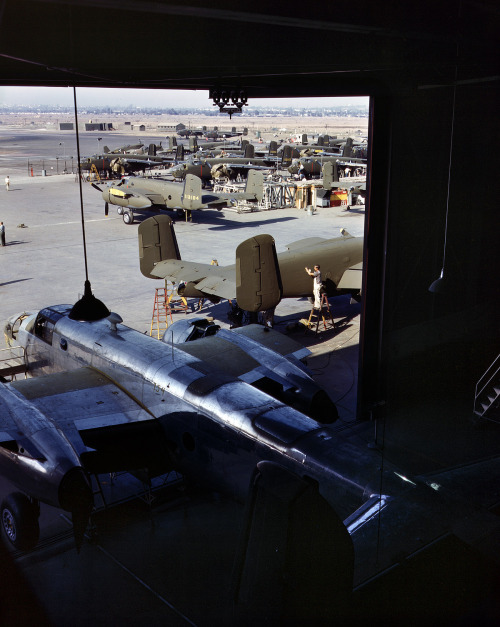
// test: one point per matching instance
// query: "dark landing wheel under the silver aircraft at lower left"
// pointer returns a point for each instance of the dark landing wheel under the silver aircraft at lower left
(20, 521)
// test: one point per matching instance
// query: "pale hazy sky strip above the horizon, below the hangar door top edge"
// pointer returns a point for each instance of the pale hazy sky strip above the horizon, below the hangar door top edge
(141, 98)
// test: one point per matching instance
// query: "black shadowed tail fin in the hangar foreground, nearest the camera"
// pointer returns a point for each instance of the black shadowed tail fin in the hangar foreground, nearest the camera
(295, 562)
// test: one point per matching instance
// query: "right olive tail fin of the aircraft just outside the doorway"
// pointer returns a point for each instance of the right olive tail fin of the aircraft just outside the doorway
(258, 278)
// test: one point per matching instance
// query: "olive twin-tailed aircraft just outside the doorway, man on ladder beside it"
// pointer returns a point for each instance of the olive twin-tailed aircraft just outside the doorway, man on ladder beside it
(340, 259)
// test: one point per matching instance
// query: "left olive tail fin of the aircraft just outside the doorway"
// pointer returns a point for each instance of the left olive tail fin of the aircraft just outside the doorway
(157, 242)
